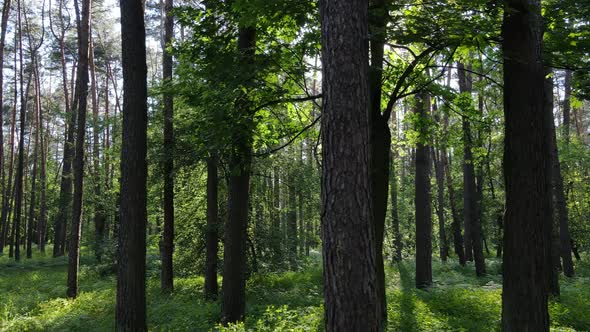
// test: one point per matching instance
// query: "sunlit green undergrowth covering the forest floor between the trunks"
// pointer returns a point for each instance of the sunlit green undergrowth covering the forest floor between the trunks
(32, 299)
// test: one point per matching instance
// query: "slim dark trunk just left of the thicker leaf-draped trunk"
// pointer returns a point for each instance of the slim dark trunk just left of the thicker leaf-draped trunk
(212, 241)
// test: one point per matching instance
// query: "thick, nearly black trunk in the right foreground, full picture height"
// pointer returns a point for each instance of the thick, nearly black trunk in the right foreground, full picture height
(527, 260)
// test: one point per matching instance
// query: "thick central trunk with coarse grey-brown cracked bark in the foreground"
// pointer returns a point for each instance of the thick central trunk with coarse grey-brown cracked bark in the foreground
(350, 282)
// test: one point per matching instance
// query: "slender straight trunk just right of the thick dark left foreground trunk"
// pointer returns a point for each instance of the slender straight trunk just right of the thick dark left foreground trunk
(167, 277)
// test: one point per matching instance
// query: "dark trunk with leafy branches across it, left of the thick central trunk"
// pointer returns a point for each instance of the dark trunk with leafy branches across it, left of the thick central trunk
(234, 253)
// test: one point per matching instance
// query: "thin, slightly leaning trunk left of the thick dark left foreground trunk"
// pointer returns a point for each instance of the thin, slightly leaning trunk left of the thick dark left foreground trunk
(80, 106)
